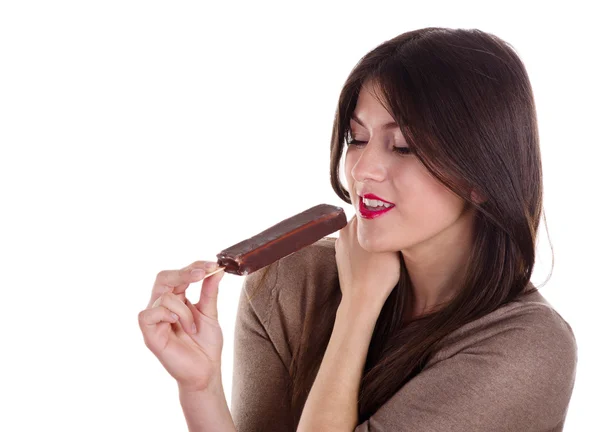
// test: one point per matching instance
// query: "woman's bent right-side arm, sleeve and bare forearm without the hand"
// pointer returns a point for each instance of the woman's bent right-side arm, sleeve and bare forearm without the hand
(519, 375)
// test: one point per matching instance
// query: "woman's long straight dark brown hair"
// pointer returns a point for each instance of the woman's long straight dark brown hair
(464, 103)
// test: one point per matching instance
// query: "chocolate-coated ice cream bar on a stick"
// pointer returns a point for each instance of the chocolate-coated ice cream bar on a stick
(282, 239)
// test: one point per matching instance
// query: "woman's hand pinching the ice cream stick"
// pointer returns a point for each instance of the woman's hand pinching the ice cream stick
(185, 337)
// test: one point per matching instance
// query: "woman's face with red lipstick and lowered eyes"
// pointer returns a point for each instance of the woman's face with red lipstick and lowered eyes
(423, 212)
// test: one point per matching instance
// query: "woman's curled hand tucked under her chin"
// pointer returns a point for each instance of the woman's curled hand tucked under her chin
(366, 278)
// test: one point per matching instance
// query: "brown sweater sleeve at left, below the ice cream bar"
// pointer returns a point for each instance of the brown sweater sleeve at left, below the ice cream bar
(259, 401)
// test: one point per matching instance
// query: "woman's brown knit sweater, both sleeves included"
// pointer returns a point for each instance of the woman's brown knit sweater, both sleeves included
(511, 370)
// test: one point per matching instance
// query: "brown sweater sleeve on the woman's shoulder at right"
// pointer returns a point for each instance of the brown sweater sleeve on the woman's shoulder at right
(518, 377)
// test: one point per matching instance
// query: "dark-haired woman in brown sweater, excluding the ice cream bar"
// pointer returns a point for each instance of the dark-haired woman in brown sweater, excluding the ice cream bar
(421, 316)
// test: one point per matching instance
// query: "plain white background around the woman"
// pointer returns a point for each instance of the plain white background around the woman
(138, 136)
